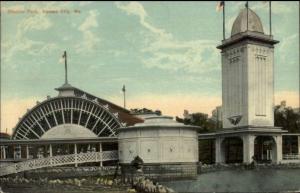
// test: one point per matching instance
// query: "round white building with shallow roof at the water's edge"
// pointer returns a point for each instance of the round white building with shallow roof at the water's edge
(168, 148)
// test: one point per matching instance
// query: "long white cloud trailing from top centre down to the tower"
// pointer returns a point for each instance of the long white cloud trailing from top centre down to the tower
(162, 50)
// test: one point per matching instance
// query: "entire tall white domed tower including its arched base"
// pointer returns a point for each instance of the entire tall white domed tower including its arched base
(248, 89)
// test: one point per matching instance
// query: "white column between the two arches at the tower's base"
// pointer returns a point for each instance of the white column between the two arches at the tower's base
(248, 148)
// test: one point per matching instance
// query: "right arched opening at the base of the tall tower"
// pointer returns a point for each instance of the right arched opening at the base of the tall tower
(264, 149)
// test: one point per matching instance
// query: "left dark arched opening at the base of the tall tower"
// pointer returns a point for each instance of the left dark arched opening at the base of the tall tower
(233, 150)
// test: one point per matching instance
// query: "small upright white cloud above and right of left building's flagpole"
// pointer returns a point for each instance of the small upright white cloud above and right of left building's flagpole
(90, 40)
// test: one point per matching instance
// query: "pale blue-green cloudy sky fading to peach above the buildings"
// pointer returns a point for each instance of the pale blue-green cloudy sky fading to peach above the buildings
(164, 52)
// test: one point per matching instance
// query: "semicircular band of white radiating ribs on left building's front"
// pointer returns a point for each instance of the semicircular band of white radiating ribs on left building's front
(67, 110)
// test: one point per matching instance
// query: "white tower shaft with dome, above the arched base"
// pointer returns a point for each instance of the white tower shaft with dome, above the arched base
(247, 74)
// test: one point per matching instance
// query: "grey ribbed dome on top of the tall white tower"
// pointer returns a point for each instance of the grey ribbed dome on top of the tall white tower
(240, 23)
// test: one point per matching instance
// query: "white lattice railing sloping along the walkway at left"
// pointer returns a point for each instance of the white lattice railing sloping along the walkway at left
(58, 161)
